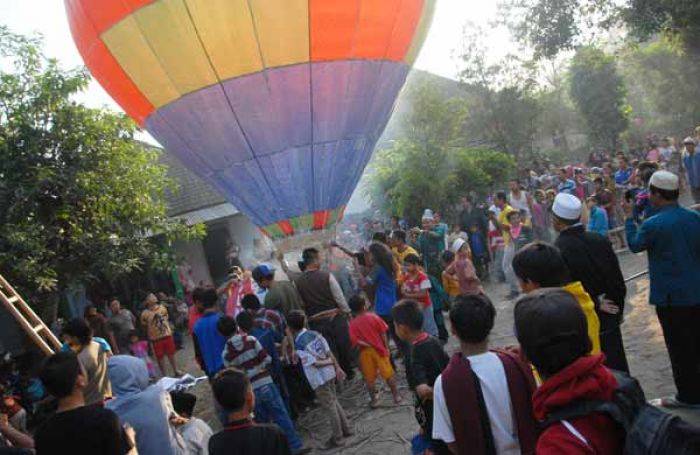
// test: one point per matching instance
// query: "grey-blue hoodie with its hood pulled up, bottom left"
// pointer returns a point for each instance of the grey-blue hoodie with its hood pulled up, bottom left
(146, 408)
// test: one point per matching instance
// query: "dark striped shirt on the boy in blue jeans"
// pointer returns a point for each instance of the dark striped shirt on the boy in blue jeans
(246, 353)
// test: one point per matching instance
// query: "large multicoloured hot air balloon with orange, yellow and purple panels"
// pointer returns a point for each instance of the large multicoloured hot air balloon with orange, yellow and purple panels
(276, 103)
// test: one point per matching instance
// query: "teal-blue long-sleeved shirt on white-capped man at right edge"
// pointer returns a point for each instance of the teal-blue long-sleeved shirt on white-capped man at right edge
(671, 239)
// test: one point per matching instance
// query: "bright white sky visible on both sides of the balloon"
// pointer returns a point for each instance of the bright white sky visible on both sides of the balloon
(48, 18)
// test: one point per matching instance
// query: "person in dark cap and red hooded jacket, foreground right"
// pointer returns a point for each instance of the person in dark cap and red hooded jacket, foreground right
(551, 330)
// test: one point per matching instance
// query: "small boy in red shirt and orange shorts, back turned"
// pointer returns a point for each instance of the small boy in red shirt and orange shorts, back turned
(368, 333)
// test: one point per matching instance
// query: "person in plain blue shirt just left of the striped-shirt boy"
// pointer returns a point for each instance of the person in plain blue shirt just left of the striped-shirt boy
(208, 342)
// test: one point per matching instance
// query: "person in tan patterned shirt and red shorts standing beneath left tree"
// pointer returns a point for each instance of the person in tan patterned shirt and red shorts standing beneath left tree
(160, 334)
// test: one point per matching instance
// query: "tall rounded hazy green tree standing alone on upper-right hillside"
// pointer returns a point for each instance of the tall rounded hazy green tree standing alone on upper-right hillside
(599, 94)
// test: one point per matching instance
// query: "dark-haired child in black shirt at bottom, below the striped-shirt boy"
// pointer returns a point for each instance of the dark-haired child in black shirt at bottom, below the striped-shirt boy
(241, 436)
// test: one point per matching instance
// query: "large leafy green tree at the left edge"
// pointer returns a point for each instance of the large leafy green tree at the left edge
(80, 199)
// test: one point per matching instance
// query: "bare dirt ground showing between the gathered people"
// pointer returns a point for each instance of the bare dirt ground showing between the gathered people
(388, 429)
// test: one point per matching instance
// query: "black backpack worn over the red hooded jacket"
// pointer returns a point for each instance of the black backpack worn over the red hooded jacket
(649, 430)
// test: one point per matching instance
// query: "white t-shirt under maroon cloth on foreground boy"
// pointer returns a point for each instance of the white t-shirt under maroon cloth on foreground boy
(494, 385)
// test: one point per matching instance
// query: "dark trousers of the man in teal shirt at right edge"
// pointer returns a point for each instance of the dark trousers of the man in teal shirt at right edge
(681, 327)
